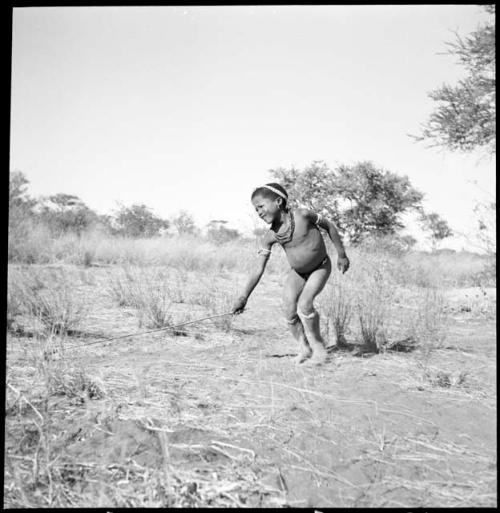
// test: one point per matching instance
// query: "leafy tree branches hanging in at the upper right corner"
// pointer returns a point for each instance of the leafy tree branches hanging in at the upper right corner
(465, 117)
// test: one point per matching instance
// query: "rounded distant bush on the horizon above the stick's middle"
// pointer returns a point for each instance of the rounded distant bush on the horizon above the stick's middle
(139, 221)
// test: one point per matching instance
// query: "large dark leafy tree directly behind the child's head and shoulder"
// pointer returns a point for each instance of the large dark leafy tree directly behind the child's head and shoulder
(360, 199)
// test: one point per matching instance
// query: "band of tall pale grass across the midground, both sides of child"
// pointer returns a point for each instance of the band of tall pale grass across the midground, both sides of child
(33, 243)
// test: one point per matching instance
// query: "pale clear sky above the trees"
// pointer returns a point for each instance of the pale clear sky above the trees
(189, 107)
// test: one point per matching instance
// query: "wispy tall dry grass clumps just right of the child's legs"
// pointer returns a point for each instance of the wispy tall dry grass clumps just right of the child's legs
(389, 316)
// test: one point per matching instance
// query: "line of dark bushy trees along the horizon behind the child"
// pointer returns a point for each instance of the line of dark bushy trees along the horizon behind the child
(362, 200)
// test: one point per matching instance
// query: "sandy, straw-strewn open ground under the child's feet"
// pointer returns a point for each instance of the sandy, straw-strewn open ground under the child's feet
(220, 418)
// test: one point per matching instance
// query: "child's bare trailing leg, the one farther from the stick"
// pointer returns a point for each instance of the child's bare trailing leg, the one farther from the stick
(308, 315)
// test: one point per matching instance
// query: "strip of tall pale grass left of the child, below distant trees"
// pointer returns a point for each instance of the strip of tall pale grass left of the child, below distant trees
(185, 252)
